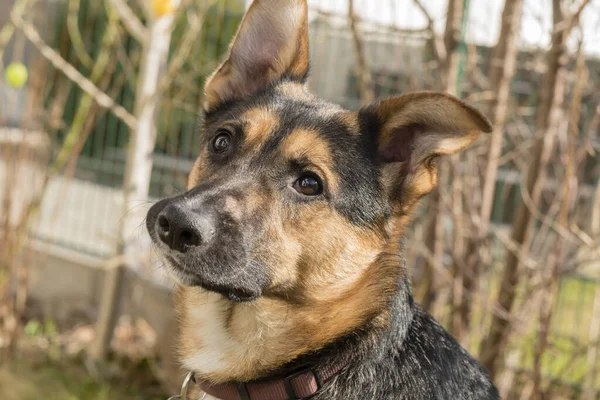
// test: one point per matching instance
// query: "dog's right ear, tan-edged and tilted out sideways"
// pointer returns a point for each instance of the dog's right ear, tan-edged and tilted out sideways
(412, 131)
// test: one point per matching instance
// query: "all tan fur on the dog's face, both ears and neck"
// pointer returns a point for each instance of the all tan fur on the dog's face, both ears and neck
(322, 284)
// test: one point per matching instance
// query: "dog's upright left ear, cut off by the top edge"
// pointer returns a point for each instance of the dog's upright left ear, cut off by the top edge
(272, 42)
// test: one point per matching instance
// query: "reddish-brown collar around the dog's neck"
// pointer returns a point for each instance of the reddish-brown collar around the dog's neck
(299, 385)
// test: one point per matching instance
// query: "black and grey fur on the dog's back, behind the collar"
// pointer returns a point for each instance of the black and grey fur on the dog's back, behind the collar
(415, 358)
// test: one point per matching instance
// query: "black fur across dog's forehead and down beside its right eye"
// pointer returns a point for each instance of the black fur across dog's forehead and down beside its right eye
(360, 200)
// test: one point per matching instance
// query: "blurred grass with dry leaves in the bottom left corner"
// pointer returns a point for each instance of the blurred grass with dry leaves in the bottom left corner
(53, 365)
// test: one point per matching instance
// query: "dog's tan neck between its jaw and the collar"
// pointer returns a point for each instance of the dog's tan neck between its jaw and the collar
(223, 341)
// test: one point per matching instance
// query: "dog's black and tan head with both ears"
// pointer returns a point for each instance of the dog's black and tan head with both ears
(291, 197)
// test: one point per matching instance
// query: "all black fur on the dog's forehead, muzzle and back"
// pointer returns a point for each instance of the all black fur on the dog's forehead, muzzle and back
(411, 358)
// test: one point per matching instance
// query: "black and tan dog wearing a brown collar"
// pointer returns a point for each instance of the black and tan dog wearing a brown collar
(287, 246)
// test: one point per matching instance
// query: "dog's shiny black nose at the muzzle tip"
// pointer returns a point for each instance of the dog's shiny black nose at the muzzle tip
(178, 228)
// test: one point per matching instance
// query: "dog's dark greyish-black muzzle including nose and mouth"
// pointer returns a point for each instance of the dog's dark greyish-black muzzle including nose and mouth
(206, 246)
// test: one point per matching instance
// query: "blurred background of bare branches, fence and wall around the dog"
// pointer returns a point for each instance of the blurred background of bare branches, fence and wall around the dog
(99, 105)
